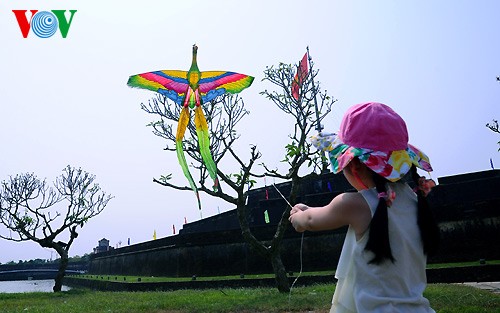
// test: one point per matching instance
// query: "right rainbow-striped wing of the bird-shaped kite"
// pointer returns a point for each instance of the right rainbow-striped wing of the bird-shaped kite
(216, 83)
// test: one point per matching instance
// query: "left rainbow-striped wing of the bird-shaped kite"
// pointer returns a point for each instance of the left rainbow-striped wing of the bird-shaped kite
(171, 83)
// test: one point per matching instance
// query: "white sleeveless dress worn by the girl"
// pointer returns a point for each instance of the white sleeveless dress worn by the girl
(388, 287)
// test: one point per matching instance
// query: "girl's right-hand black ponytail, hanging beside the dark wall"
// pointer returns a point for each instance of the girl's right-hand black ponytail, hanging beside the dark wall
(429, 230)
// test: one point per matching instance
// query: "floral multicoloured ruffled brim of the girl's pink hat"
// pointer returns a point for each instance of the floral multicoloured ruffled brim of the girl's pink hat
(392, 165)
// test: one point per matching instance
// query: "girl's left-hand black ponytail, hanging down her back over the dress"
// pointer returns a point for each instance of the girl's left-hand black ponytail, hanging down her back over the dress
(378, 239)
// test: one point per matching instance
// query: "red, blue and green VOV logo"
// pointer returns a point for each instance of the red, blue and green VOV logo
(44, 23)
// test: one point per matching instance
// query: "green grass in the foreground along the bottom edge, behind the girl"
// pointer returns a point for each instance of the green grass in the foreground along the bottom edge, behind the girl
(444, 299)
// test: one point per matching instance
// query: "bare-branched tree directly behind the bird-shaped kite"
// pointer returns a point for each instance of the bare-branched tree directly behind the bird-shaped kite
(223, 115)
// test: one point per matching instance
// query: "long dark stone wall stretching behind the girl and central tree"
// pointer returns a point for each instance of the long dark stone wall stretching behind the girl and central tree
(467, 208)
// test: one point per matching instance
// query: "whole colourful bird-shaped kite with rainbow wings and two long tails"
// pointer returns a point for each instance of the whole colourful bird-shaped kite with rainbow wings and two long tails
(191, 89)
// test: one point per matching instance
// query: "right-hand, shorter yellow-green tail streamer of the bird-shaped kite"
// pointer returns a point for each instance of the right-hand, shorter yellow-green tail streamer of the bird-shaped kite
(204, 142)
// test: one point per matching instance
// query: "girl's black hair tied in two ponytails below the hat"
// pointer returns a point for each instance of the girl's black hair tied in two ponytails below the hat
(378, 239)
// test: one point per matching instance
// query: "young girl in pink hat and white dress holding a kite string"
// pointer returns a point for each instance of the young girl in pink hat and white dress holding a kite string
(391, 229)
